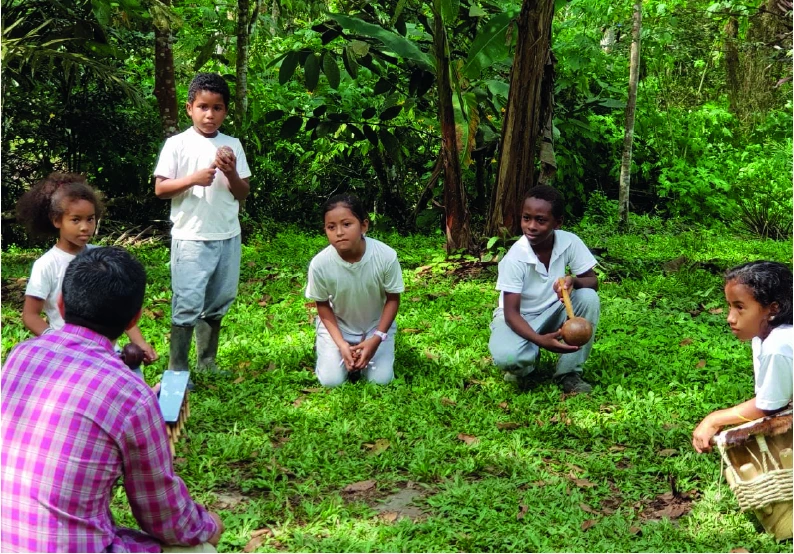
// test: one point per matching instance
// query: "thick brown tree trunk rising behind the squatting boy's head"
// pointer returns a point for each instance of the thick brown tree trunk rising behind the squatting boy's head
(522, 122)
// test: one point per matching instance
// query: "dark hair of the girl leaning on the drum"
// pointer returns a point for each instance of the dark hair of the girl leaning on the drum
(768, 282)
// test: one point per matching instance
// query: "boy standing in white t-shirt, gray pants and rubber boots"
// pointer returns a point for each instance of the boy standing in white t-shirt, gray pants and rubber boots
(205, 238)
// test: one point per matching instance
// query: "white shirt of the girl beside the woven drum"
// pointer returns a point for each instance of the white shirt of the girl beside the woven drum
(773, 367)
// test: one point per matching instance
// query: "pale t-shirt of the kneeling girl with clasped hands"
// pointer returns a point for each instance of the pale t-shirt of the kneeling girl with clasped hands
(357, 291)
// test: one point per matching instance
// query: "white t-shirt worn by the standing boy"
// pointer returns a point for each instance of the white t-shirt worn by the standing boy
(201, 213)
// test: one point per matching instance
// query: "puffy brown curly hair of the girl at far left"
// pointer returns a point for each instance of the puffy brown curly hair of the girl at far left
(48, 199)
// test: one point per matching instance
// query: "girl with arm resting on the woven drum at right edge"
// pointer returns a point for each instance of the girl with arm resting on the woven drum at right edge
(759, 296)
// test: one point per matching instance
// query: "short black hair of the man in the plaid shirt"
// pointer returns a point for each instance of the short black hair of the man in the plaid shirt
(103, 290)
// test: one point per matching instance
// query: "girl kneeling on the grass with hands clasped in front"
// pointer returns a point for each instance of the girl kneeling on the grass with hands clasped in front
(356, 282)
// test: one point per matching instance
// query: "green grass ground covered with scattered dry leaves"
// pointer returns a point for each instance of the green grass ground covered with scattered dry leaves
(275, 450)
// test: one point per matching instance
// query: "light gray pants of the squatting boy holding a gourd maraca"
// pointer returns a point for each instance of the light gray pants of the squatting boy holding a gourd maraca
(517, 355)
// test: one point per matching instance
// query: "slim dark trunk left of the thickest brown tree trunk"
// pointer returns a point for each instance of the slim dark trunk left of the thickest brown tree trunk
(457, 217)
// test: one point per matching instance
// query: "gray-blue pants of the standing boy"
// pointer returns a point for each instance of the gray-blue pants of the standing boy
(204, 278)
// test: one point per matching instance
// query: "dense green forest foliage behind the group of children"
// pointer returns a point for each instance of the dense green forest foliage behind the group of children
(342, 97)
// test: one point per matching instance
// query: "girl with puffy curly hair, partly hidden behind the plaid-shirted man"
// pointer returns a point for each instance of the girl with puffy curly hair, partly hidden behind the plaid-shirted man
(63, 204)
